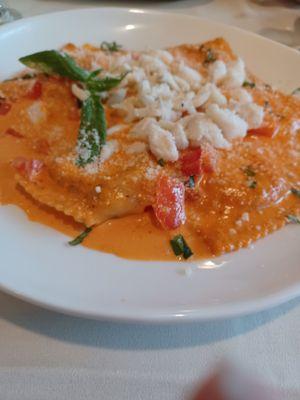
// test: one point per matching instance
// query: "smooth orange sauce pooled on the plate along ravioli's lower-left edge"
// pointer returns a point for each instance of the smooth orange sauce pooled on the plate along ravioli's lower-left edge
(133, 236)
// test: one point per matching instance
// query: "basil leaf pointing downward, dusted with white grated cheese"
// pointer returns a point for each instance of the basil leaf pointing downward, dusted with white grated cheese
(92, 131)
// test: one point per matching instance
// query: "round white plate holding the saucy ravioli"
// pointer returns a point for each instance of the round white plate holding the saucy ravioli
(37, 265)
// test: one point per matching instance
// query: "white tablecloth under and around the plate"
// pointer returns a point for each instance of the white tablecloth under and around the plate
(45, 355)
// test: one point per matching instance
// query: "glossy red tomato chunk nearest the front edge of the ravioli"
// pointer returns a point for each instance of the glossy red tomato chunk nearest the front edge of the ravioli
(169, 205)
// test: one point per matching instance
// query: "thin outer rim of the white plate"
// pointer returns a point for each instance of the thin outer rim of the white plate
(204, 313)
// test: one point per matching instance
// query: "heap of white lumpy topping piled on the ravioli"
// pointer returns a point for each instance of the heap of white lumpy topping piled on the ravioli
(172, 106)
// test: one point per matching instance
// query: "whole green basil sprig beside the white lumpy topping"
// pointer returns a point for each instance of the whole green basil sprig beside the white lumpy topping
(92, 131)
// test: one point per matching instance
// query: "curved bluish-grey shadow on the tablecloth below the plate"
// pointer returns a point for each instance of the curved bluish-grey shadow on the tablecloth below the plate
(130, 336)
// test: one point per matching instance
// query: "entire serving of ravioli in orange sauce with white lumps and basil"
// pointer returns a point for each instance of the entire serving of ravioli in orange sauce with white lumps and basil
(151, 154)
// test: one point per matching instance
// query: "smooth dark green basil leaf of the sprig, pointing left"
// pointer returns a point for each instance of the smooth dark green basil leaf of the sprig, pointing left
(55, 62)
